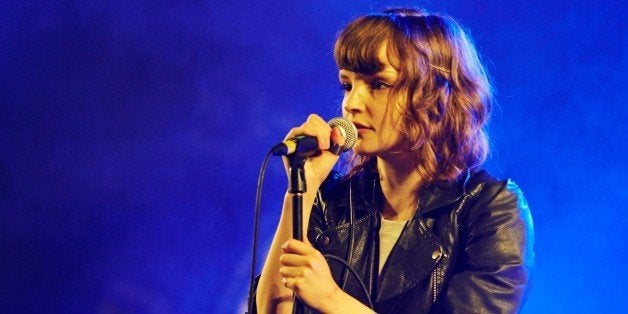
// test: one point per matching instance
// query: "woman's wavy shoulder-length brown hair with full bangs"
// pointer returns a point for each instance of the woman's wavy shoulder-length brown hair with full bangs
(448, 92)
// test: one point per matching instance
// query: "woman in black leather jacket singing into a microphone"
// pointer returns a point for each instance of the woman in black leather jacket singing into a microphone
(423, 227)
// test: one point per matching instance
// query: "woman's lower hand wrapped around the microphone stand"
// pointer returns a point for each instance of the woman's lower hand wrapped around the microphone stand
(305, 271)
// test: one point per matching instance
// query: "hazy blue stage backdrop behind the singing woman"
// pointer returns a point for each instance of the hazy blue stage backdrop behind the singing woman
(131, 136)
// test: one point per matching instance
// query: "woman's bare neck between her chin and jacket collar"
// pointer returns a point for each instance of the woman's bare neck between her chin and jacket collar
(400, 184)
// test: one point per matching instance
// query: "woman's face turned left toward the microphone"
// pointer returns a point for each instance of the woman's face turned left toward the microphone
(366, 103)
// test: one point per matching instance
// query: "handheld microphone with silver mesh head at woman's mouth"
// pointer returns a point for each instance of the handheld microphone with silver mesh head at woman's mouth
(305, 146)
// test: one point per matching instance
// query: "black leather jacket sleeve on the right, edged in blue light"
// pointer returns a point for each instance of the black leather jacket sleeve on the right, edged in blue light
(493, 270)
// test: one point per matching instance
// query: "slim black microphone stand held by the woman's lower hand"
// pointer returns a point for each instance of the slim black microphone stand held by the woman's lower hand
(297, 188)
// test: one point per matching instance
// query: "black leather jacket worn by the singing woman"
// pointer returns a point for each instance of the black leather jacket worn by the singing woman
(468, 248)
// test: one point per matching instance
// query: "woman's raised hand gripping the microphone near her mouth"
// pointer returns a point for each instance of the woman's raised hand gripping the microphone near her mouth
(318, 166)
